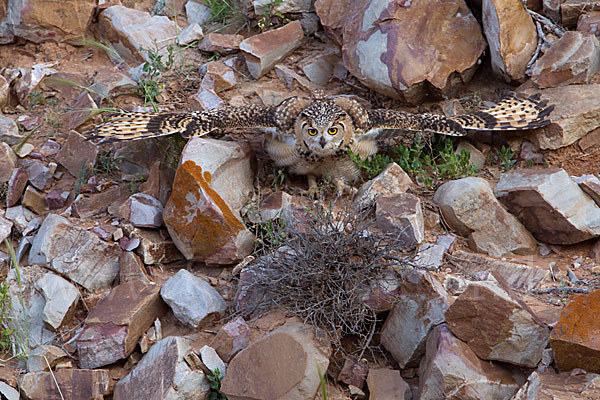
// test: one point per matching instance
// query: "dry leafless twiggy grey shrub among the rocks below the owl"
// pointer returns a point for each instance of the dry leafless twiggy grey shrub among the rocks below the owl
(323, 270)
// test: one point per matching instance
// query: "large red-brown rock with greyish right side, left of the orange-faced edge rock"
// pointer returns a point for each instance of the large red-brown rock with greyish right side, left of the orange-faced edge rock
(493, 324)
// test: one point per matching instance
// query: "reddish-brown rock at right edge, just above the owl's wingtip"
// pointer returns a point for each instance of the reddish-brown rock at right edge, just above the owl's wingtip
(572, 59)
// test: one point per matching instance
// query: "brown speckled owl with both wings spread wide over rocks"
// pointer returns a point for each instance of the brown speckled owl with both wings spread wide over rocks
(314, 136)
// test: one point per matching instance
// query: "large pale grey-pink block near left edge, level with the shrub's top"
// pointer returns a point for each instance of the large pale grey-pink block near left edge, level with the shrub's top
(75, 253)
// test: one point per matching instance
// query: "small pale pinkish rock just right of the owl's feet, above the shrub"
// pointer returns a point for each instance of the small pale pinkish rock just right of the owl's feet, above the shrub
(391, 181)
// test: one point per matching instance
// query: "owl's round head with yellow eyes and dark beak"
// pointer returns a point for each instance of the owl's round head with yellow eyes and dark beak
(323, 126)
